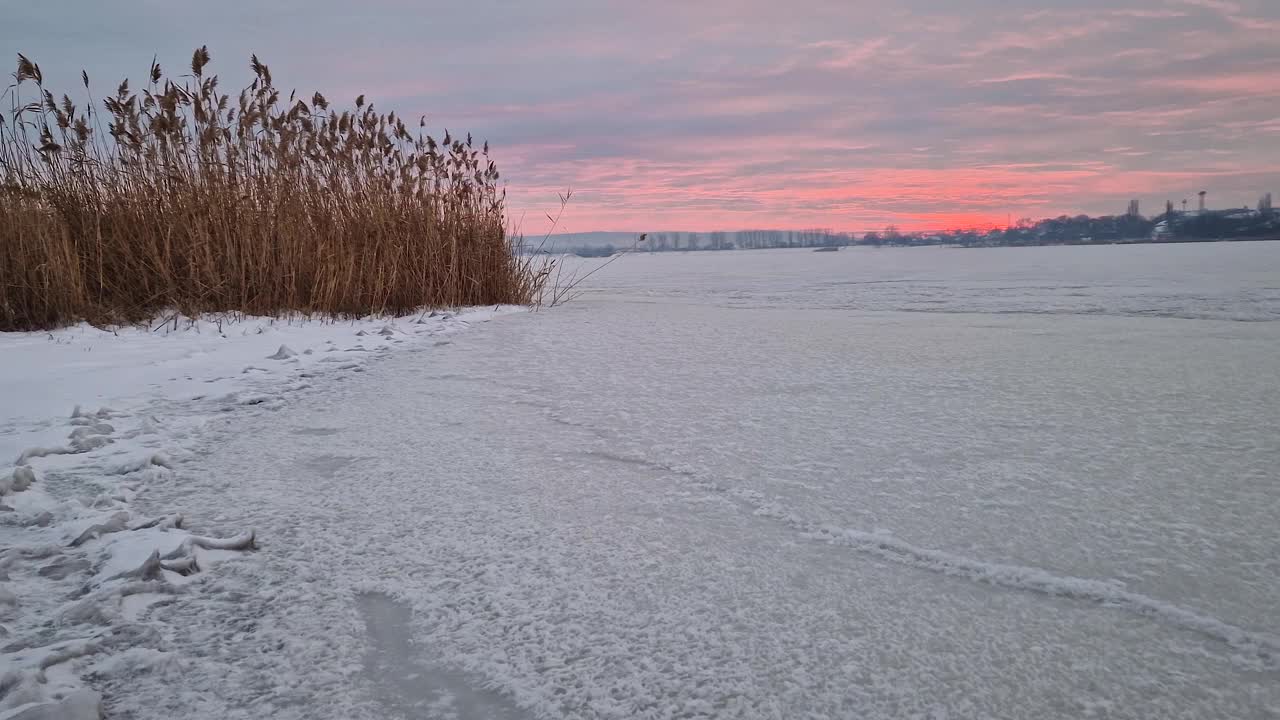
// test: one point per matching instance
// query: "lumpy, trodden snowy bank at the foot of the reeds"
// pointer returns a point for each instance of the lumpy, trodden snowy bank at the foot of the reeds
(89, 418)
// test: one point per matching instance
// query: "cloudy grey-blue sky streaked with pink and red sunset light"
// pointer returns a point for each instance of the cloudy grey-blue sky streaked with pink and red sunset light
(729, 115)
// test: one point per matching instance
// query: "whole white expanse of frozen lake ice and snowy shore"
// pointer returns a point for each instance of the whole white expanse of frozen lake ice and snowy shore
(874, 484)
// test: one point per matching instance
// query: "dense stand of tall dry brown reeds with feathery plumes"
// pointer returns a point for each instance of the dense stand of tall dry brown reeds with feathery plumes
(182, 198)
